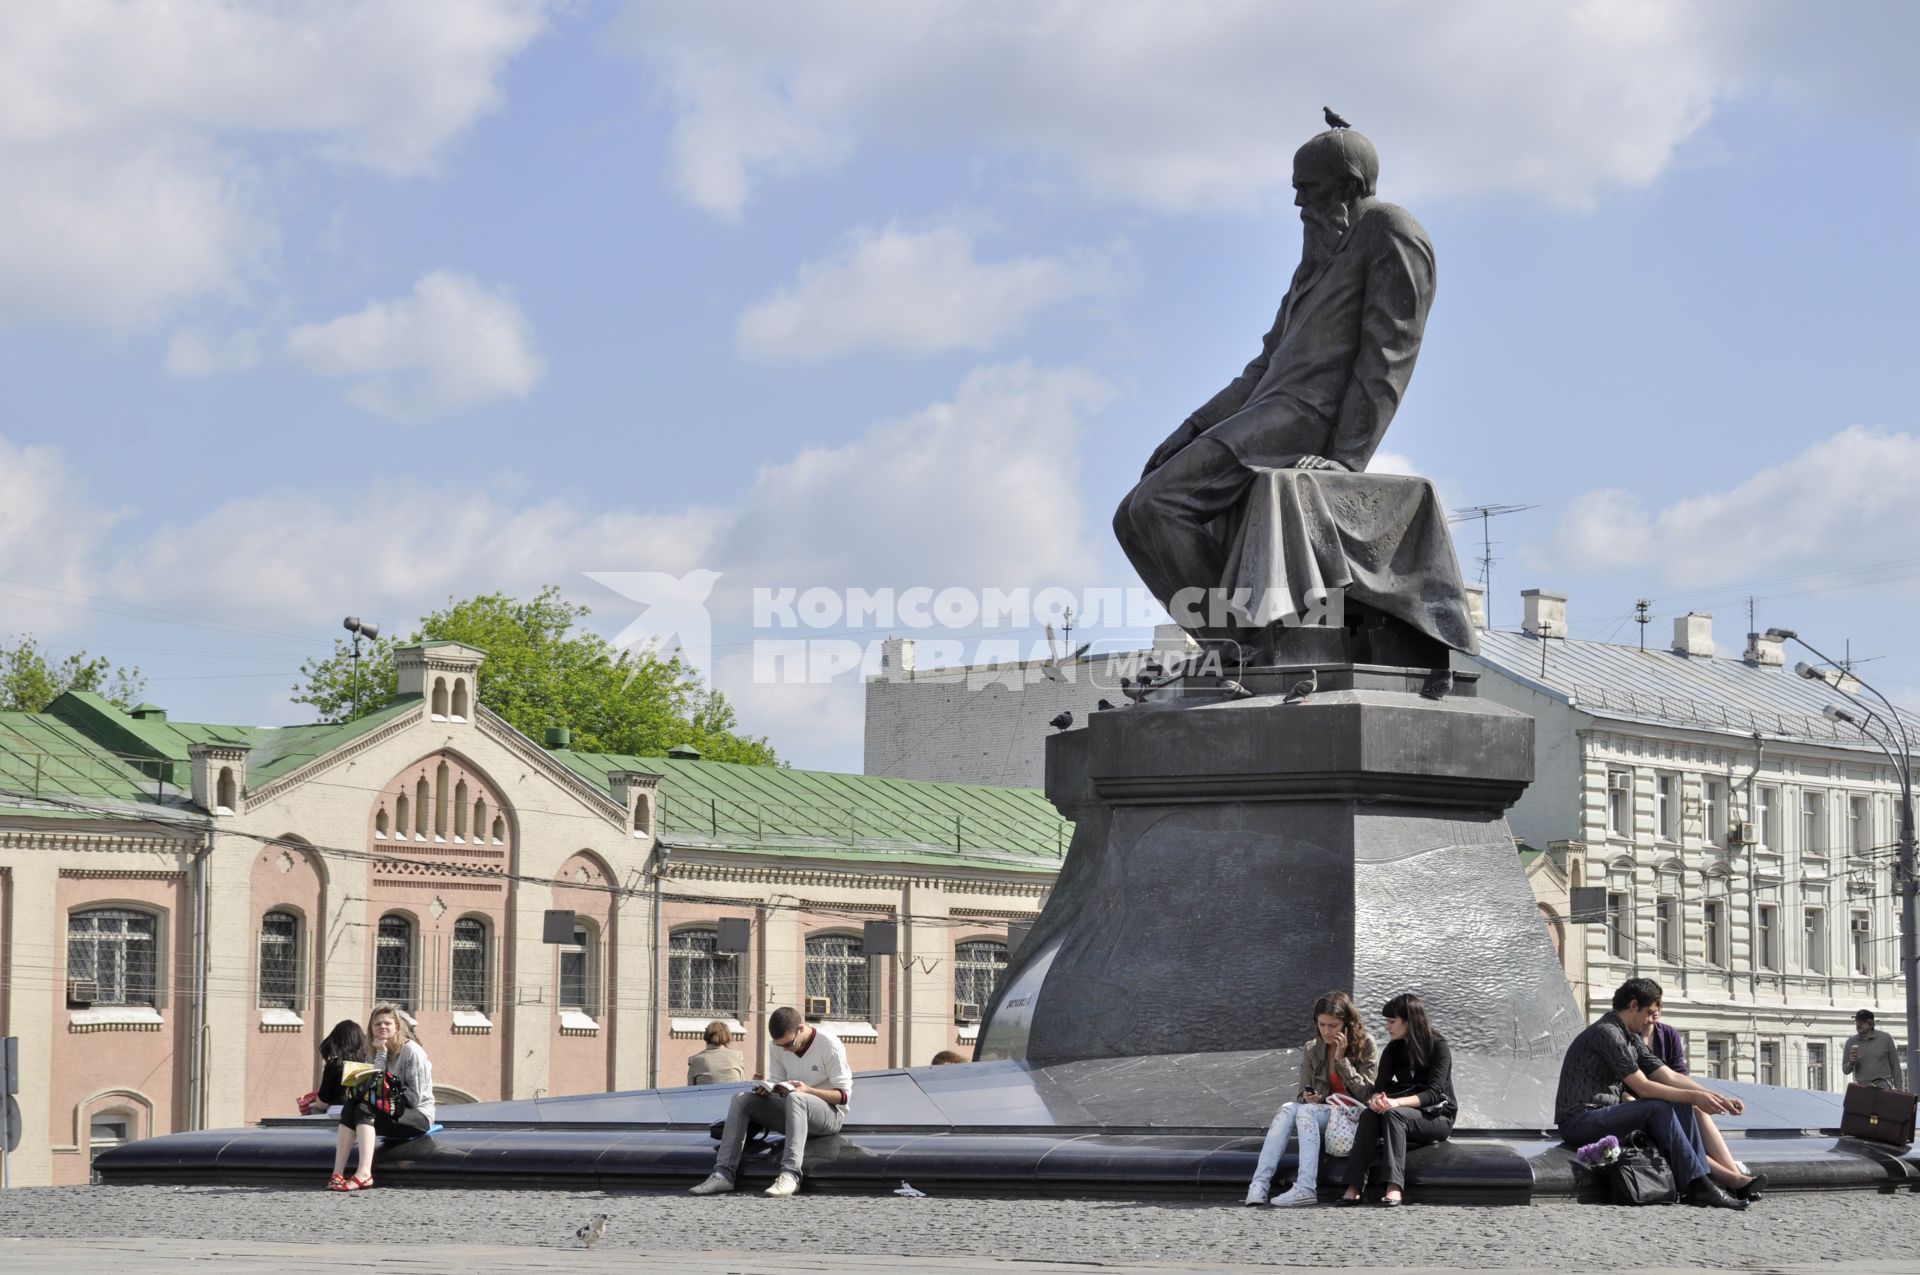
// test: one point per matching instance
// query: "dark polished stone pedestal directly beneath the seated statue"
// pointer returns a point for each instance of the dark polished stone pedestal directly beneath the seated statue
(1236, 859)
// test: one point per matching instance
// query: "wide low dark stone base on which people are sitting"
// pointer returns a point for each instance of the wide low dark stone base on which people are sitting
(1109, 1126)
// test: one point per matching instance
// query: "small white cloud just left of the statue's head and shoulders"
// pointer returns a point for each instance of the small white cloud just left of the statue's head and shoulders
(913, 291)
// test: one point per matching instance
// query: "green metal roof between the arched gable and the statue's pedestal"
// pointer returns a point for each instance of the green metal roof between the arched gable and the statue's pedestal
(819, 813)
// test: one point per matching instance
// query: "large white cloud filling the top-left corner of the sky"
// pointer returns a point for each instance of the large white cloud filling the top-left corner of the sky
(130, 178)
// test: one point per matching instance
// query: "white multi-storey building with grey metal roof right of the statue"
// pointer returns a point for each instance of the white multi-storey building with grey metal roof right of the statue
(1746, 844)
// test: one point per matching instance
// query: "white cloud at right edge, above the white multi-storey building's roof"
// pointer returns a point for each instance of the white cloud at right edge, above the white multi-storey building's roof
(1817, 512)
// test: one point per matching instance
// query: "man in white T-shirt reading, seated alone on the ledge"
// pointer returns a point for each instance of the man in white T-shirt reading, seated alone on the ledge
(807, 1094)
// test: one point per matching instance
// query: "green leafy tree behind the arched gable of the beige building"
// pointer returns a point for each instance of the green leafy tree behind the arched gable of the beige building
(542, 669)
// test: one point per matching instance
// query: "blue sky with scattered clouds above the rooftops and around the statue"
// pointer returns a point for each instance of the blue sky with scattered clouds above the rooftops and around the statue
(324, 310)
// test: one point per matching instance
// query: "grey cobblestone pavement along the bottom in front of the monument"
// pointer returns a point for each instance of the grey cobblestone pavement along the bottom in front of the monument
(471, 1232)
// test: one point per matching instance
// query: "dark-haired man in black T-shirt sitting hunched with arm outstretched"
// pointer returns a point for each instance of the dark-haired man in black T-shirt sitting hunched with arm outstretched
(1614, 1084)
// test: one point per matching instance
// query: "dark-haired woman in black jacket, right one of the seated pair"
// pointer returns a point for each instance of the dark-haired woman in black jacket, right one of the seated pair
(1412, 1103)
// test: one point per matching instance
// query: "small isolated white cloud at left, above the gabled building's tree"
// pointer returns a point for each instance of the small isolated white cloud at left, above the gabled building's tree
(448, 347)
